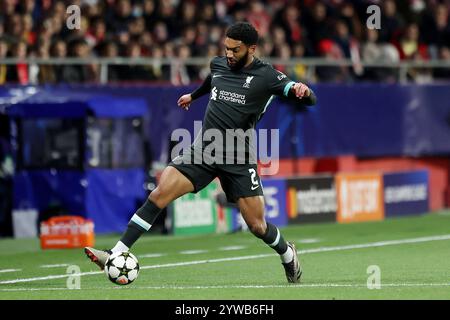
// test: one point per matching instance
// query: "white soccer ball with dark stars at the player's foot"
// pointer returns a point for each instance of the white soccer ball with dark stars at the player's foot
(122, 268)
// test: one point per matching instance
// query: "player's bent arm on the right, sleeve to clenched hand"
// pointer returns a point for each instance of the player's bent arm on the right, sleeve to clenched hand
(279, 84)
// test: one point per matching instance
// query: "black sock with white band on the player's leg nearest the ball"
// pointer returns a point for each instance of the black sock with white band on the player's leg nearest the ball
(140, 222)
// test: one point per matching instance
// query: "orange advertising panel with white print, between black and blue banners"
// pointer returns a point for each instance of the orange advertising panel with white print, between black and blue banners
(359, 197)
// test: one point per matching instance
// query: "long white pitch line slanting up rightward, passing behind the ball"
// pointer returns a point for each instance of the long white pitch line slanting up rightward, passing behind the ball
(315, 250)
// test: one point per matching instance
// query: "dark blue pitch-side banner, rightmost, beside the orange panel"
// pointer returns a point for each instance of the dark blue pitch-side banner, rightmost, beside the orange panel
(406, 193)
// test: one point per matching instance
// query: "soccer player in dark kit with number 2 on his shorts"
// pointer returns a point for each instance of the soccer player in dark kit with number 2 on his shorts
(241, 86)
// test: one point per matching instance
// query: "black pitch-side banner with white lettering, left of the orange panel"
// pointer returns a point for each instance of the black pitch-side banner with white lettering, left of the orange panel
(311, 199)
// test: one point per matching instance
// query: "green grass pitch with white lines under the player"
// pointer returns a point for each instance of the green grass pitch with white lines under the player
(411, 253)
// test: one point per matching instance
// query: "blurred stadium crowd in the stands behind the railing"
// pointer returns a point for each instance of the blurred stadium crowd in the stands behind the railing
(333, 29)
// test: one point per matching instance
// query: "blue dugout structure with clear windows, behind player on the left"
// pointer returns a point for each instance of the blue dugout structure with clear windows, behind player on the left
(61, 158)
